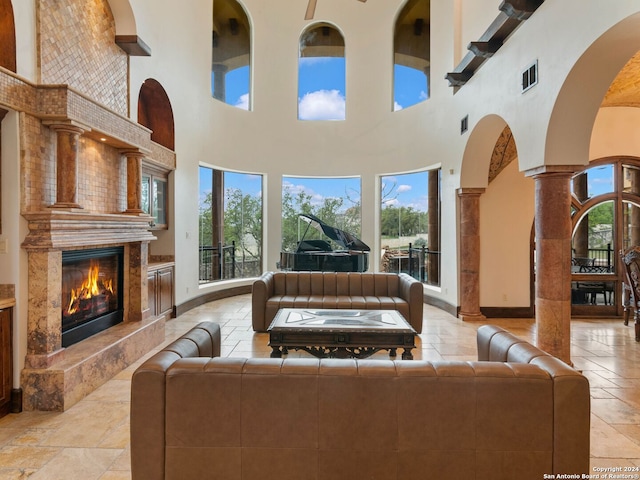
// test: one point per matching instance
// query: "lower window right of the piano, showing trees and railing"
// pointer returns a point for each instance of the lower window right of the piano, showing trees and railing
(410, 224)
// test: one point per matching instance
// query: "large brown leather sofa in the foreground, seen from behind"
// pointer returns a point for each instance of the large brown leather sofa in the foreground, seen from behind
(519, 413)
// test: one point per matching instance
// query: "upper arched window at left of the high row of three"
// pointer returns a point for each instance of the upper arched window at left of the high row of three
(231, 54)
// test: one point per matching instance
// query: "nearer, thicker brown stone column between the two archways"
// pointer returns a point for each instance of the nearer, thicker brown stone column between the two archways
(553, 259)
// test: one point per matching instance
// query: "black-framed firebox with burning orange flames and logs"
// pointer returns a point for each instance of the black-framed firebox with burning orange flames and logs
(92, 292)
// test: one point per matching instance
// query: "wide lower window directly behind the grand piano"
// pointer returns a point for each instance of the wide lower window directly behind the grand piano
(335, 201)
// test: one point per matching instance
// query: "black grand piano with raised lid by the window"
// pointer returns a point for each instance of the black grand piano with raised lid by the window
(319, 255)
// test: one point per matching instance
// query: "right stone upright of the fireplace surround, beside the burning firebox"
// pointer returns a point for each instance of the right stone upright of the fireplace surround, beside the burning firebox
(136, 268)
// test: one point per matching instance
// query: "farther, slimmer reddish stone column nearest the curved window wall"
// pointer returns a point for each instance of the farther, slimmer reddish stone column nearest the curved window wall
(470, 253)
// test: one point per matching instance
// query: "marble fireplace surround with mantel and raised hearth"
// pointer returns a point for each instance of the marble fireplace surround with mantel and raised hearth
(55, 378)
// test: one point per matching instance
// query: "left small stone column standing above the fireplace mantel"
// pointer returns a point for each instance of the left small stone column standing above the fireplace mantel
(67, 164)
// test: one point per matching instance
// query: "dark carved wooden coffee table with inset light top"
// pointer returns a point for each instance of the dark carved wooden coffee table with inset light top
(340, 333)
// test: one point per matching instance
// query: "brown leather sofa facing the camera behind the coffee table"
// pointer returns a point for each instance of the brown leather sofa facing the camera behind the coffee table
(366, 291)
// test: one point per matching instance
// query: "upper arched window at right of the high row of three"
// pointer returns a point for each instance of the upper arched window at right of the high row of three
(412, 57)
